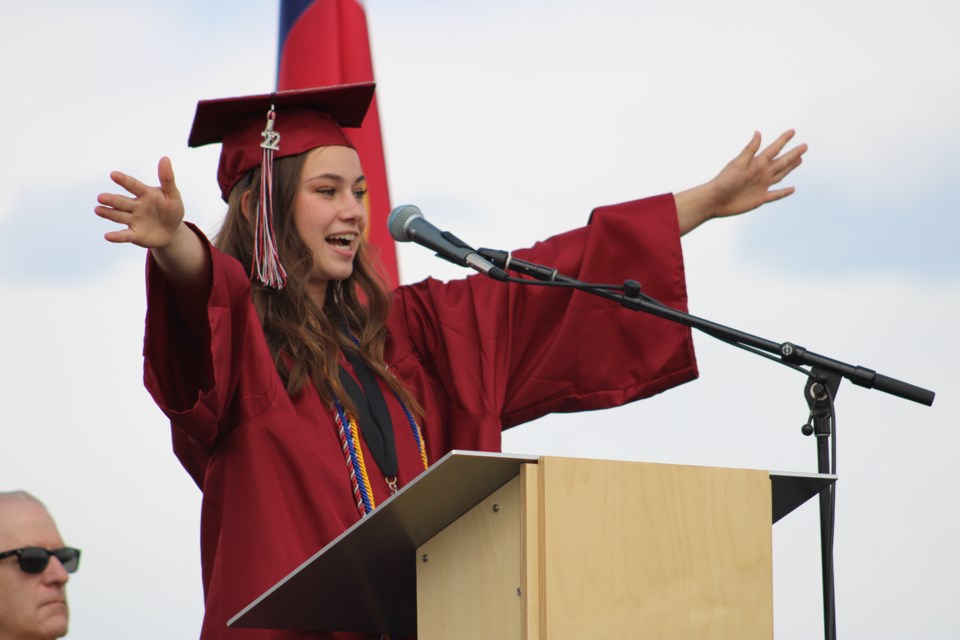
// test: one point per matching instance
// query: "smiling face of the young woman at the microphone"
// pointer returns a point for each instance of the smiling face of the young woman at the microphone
(329, 213)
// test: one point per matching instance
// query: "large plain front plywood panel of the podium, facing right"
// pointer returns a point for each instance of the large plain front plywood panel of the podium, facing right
(638, 550)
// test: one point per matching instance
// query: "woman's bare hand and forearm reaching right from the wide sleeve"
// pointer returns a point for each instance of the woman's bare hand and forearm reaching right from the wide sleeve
(743, 185)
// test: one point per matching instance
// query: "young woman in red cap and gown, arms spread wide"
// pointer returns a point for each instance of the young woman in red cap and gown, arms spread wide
(299, 405)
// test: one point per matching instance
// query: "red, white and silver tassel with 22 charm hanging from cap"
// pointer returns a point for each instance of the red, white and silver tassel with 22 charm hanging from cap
(266, 258)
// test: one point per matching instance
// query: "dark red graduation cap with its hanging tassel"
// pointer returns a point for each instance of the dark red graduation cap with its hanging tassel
(256, 129)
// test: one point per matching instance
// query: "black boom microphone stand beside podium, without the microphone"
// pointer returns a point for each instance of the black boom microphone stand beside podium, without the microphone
(823, 379)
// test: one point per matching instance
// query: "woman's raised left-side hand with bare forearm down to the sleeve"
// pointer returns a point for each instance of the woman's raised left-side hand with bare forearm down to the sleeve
(154, 220)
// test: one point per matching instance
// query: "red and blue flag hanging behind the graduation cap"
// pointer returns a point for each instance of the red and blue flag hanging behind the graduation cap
(324, 43)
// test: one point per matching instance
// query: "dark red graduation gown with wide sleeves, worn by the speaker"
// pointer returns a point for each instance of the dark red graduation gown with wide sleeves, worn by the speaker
(480, 356)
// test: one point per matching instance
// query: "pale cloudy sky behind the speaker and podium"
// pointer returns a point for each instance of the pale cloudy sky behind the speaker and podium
(506, 122)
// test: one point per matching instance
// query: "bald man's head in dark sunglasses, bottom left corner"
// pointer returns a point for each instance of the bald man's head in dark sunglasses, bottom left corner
(34, 569)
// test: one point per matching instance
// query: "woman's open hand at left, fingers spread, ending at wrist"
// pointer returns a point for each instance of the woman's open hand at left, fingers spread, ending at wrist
(152, 216)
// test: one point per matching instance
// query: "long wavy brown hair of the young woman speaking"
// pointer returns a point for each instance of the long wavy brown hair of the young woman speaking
(306, 341)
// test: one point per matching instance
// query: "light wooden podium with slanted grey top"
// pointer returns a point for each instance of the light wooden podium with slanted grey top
(500, 546)
